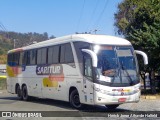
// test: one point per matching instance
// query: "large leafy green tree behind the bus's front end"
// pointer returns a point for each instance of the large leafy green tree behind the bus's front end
(139, 22)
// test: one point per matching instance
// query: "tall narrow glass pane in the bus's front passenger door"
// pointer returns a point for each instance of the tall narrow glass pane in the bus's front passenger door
(87, 66)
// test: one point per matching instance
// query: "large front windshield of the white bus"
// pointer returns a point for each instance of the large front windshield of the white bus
(116, 66)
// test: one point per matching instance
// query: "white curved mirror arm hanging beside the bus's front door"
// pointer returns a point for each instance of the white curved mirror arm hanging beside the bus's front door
(93, 56)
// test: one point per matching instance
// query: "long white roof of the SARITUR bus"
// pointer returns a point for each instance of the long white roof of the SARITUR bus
(90, 38)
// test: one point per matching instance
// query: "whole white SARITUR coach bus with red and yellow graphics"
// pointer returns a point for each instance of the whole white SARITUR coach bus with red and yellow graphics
(80, 69)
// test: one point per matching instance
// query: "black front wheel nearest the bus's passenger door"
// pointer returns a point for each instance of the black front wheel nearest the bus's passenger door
(74, 99)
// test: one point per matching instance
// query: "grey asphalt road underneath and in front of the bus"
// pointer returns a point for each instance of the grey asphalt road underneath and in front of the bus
(10, 102)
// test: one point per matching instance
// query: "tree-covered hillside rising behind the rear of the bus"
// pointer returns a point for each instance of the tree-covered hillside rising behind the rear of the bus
(9, 40)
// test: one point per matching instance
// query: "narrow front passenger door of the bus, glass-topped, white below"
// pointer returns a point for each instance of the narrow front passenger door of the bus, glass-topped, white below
(88, 79)
